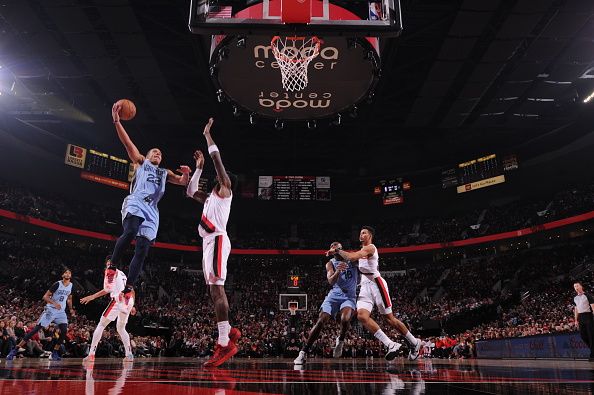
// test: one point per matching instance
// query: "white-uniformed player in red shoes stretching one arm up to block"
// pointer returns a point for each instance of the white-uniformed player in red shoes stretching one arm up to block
(216, 245)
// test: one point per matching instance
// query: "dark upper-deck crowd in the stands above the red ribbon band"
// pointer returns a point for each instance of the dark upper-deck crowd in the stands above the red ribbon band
(309, 234)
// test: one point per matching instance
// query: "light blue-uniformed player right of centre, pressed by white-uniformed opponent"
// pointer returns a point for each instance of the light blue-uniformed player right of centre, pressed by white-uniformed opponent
(344, 277)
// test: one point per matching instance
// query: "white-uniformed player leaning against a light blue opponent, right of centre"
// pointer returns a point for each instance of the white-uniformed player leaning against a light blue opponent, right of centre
(374, 292)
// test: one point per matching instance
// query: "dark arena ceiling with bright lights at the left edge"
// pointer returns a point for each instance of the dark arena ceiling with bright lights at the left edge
(466, 78)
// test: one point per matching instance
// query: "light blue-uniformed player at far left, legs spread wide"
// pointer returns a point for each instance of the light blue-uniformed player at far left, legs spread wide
(59, 294)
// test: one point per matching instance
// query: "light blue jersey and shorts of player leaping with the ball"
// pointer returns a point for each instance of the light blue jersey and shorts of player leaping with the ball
(147, 188)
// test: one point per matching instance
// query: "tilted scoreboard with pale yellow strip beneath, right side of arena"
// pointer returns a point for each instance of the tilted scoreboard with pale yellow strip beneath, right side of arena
(478, 173)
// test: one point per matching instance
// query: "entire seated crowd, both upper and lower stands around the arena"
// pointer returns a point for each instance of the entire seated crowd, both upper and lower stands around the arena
(179, 301)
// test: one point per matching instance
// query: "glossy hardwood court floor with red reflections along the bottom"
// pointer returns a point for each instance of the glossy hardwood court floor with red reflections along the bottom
(164, 376)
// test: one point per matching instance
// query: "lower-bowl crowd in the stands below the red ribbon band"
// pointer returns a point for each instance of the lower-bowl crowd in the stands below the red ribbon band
(179, 300)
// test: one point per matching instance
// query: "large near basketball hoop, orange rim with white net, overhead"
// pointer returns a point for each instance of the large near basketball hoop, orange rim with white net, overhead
(293, 55)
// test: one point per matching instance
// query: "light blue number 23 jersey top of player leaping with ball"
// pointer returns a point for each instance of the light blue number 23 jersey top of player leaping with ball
(148, 184)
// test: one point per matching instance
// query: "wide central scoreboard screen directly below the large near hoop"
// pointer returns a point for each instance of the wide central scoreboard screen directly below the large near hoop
(294, 188)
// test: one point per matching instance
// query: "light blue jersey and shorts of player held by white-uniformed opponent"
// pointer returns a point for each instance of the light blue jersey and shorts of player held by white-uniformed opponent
(344, 292)
